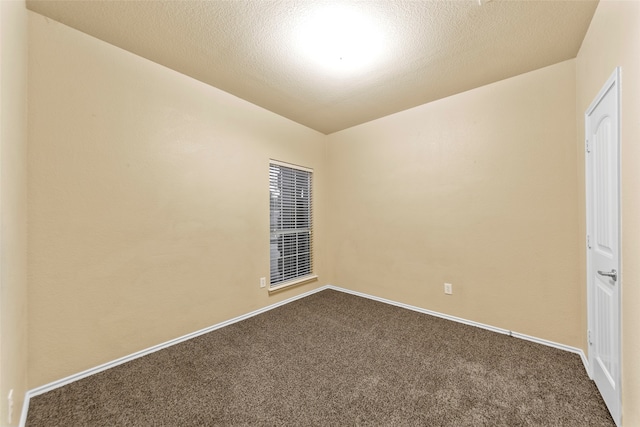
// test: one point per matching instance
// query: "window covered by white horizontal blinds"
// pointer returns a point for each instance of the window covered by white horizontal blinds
(291, 217)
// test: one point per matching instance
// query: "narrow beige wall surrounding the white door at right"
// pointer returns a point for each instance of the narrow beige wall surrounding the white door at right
(613, 40)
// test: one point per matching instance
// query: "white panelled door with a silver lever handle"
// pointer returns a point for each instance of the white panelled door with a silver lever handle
(602, 130)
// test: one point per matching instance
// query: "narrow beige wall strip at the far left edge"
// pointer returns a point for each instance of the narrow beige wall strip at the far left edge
(13, 205)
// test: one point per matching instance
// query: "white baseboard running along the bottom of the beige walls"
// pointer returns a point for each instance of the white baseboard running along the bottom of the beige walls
(75, 377)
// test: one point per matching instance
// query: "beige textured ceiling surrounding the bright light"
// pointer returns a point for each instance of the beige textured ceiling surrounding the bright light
(429, 49)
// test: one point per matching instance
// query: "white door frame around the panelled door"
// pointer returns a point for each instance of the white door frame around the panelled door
(612, 81)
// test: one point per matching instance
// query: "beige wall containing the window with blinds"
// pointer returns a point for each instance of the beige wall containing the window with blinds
(148, 202)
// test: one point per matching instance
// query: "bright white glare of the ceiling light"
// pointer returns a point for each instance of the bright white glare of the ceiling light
(340, 39)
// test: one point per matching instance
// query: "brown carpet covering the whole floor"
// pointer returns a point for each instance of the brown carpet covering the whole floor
(335, 359)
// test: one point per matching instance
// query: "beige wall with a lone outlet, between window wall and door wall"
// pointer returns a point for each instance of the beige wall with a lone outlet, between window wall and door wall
(477, 190)
